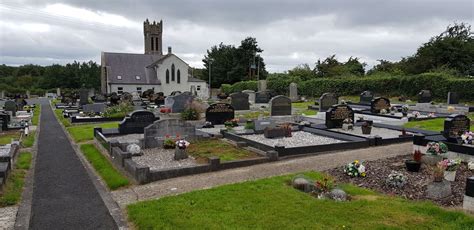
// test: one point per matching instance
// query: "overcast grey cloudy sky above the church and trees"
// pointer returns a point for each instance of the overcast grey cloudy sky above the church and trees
(291, 32)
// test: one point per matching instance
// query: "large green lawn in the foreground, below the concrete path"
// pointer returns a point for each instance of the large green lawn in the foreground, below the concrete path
(272, 204)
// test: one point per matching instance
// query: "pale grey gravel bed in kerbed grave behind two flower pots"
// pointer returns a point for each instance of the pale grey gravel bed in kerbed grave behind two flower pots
(159, 159)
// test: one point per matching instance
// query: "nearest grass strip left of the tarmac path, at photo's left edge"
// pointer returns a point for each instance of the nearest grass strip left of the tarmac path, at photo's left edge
(11, 194)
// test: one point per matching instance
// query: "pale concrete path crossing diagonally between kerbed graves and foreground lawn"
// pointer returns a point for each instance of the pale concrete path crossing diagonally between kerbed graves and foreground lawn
(207, 180)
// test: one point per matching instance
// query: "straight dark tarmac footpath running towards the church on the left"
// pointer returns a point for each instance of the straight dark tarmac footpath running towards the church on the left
(64, 196)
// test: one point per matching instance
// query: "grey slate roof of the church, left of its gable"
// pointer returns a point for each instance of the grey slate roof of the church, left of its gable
(128, 66)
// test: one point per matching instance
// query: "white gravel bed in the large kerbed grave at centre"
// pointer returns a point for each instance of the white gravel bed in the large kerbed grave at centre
(297, 139)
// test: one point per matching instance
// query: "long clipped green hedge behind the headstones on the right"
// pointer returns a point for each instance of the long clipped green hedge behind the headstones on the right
(439, 84)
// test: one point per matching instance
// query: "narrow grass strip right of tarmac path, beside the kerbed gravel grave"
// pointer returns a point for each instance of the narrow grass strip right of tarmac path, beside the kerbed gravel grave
(103, 167)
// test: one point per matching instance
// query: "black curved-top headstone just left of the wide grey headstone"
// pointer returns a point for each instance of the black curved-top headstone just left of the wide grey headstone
(136, 122)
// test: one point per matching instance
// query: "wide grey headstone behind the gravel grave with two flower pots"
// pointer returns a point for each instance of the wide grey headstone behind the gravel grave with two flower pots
(157, 132)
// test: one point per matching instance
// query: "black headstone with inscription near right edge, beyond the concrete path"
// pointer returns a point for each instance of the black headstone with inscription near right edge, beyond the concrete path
(455, 125)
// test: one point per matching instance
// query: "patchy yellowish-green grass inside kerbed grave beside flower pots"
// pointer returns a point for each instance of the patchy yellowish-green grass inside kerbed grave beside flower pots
(204, 149)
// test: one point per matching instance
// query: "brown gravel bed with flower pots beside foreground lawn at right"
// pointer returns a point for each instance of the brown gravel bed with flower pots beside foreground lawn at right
(377, 172)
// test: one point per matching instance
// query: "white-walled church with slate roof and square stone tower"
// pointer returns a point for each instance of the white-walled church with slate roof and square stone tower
(128, 72)
